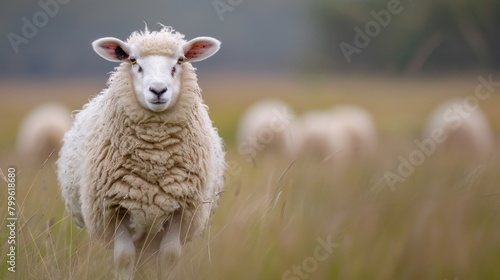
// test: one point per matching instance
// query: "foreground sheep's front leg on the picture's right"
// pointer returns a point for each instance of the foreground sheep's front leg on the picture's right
(170, 247)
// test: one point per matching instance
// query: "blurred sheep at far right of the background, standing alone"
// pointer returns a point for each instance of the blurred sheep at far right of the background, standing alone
(458, 129)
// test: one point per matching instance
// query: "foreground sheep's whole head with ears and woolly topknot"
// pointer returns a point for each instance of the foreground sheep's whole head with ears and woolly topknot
(155, 59)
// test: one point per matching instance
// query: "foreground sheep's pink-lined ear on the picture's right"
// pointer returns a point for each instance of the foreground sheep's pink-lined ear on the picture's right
(200, 48)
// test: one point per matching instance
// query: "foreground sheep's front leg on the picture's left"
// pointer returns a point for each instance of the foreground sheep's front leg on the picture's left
(124, 252)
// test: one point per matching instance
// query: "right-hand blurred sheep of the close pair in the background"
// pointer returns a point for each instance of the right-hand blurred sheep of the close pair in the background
(341, 134)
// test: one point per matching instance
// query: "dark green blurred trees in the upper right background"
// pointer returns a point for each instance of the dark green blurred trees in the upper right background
(426, 36)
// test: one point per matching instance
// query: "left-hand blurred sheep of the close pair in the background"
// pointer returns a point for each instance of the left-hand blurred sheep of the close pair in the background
(265, 126)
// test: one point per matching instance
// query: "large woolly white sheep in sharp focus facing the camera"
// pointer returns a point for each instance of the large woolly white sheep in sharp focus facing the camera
(142, 166)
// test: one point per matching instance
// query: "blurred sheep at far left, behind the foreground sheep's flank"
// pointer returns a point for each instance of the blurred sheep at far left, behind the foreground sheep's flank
(42, 131)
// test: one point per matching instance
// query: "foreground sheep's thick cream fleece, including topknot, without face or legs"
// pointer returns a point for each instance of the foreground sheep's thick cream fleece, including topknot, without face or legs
(120, 159)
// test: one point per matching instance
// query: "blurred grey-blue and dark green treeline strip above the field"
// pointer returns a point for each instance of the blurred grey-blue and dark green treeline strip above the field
(278, 36)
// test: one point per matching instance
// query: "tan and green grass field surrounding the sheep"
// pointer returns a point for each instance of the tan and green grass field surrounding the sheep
(288, 220)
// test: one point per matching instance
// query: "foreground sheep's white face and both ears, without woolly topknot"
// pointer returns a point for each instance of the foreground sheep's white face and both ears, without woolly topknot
(156, 78)
